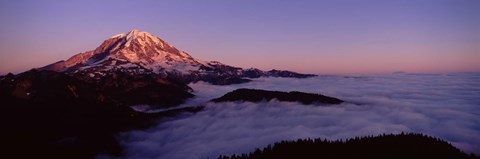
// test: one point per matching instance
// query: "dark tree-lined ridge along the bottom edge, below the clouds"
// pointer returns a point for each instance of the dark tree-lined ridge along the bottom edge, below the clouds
(401, 146)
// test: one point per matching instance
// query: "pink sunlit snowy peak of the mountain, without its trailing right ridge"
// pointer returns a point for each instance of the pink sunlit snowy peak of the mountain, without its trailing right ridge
(135, 47)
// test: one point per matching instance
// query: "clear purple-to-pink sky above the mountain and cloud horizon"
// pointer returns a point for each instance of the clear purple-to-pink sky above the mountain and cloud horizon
(312, 36)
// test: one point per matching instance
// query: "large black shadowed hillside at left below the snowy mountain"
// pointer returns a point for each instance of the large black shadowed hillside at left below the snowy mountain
(46, 114)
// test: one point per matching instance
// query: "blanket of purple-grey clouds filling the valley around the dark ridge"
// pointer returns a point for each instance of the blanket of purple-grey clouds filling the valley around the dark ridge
(443, 105)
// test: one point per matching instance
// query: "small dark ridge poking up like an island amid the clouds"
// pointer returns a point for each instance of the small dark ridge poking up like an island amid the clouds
(256, 95)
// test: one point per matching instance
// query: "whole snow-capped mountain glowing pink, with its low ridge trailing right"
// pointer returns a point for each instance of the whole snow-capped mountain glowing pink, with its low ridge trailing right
(138, 52)
